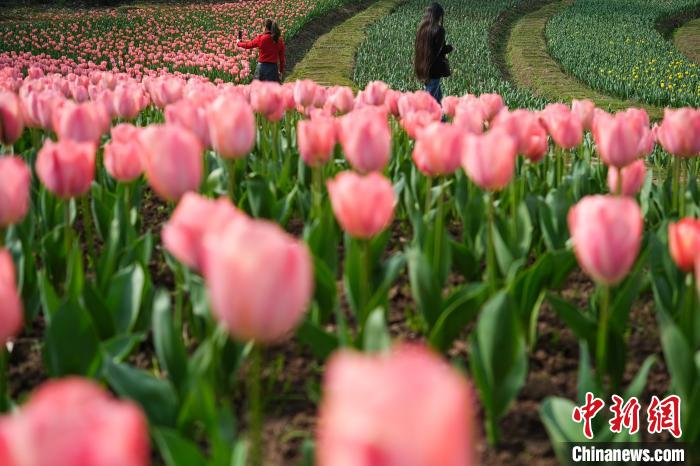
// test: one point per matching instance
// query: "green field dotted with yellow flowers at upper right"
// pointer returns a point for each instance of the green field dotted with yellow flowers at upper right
(625, 58)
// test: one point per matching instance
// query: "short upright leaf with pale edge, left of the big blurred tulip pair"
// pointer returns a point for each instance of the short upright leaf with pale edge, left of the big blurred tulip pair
(124, 297)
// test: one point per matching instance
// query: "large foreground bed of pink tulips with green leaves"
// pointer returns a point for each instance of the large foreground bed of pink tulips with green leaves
(532, 193)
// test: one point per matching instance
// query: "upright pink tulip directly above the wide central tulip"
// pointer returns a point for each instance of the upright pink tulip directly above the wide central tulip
(366, 139)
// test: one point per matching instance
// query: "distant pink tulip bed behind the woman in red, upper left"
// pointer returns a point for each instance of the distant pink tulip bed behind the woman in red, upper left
(195, 39)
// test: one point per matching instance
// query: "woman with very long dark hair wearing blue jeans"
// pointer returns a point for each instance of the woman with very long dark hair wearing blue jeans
(431, 51)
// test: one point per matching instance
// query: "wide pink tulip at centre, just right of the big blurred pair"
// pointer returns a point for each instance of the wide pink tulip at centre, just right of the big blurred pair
(363, 205)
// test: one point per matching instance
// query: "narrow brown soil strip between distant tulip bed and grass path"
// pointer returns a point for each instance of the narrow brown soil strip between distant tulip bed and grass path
(304, 40)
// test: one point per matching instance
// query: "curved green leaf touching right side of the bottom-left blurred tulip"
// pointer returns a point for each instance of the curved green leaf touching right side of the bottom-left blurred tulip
(156, 396)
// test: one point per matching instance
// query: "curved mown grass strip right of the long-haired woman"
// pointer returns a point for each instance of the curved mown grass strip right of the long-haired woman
(532, 67)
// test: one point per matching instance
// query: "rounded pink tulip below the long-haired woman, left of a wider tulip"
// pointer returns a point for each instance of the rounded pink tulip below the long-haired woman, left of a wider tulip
(438, 150)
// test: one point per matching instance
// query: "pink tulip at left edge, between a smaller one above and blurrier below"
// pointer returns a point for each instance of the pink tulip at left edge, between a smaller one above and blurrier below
(14, 191)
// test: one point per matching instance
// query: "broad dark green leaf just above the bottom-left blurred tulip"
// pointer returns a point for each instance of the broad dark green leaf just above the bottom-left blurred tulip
(71, 345)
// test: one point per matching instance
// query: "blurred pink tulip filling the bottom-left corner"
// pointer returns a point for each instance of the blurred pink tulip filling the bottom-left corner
(73, 421)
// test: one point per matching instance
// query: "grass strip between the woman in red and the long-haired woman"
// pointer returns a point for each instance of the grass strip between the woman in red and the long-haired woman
(331, 60)
